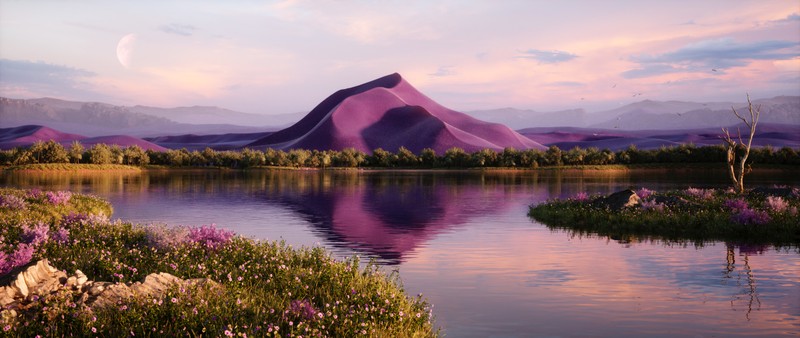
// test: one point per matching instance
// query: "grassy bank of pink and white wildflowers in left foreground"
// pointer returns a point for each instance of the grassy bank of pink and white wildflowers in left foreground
(263, 289)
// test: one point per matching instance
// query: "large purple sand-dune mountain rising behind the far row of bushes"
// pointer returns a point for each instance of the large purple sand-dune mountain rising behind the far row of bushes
(389, 113)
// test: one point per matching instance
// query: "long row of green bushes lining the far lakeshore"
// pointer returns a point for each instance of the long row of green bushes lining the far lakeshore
(53, 152)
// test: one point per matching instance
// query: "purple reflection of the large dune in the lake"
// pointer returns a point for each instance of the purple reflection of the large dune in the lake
(387, 215)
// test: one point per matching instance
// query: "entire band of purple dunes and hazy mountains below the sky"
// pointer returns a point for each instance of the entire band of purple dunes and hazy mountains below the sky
(388, 113)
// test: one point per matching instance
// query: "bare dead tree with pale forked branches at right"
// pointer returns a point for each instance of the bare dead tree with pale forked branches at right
(734, 158)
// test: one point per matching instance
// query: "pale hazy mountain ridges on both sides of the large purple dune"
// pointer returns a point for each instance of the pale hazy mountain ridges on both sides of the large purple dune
(95, 119)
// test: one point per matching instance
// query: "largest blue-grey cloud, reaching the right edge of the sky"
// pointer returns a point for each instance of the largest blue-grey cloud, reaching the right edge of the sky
(712, 55)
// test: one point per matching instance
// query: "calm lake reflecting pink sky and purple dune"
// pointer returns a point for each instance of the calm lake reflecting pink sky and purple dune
(464, 241)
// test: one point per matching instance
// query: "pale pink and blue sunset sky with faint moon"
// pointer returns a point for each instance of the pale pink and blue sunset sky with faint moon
(275, 57)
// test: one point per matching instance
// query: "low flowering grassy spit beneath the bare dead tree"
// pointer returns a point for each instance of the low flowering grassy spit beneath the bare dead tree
(761, 215)
